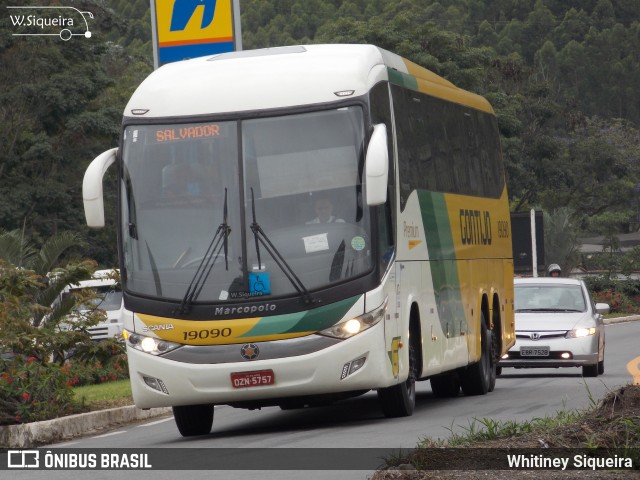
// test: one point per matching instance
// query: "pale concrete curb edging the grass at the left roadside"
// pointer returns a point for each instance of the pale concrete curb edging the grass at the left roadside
(31, 435)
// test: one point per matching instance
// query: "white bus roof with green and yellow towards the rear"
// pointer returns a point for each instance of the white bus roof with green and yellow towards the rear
(282, 77)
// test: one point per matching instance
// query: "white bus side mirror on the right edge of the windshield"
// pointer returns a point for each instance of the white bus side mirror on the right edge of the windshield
(377, 166)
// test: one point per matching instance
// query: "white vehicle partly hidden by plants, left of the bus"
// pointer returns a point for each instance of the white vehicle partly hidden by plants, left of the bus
(107, 297)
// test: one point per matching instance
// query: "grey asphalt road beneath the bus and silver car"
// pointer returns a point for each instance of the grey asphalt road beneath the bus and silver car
(519, 395)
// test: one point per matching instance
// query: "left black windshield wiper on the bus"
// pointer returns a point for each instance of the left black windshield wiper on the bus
(219, 242)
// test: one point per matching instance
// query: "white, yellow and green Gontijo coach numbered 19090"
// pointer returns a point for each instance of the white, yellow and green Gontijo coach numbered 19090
(237, 292)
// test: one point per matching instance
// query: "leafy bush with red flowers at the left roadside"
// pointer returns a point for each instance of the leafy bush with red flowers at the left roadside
(40, 364)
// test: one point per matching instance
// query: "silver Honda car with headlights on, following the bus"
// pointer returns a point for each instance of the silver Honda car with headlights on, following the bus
(557, 325)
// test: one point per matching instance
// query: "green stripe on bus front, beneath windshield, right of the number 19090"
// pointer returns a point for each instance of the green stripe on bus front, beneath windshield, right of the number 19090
(309, 321)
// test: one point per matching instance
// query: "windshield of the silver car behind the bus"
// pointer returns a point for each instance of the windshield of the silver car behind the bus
(549, 297)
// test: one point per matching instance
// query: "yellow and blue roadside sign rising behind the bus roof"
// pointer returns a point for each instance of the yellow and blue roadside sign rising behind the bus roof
(193, 28)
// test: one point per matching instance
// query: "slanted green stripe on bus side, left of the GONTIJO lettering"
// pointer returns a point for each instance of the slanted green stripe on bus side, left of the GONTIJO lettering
(442, 261)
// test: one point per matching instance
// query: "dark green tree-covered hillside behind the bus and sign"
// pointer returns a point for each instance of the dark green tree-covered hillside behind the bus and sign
(563, 76)
